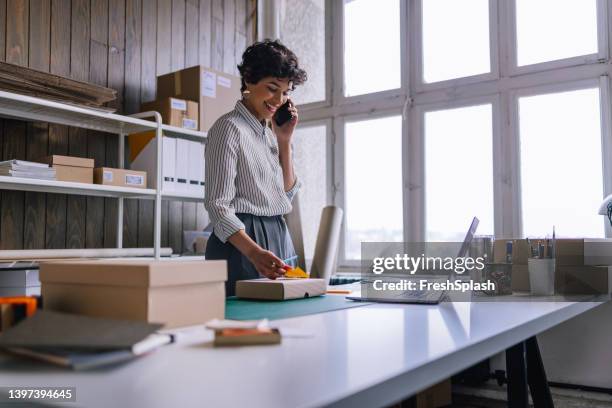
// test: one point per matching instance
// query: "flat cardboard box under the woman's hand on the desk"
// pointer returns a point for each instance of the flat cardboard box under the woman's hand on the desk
(280, 289)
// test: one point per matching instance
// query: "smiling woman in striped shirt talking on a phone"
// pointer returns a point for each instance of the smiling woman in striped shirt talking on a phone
(250, 180)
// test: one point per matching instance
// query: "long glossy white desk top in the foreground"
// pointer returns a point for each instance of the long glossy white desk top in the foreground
(361, 357)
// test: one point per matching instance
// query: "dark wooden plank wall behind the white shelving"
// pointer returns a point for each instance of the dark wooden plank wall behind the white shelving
(122, 44)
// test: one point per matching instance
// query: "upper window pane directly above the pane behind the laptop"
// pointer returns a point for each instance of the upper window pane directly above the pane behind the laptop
(455, 39)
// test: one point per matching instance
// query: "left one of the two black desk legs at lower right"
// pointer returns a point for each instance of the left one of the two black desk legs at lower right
(516, 368)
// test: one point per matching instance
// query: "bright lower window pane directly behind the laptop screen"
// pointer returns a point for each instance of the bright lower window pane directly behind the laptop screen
(458, 172)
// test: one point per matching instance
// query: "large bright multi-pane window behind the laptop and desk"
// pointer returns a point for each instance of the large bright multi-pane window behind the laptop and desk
(440, 110)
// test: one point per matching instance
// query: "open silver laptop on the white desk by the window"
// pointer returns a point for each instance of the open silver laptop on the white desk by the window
(421, 296)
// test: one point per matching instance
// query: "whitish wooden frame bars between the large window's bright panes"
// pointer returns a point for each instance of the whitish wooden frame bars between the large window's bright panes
(499, 87)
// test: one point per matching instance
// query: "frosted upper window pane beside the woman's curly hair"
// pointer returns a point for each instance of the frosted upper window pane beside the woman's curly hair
(303, 31)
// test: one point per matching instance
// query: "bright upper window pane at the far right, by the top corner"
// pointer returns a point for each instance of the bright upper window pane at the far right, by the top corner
(548, 30)
